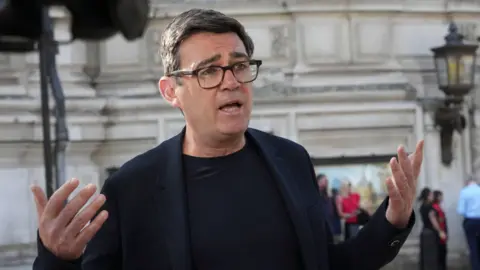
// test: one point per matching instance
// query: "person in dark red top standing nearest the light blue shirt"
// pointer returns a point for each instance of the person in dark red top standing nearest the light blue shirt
(442, 222)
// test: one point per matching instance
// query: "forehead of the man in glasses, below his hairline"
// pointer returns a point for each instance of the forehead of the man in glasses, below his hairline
(201, 46)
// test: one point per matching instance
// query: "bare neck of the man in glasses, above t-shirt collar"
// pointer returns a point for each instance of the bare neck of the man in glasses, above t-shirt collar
(205, 146)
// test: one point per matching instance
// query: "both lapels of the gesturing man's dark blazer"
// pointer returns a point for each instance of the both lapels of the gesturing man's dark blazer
(171, 201)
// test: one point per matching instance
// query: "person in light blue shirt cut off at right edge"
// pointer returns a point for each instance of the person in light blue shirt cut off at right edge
(469, 208)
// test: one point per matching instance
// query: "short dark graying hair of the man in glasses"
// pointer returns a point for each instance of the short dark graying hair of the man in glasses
(196, 21)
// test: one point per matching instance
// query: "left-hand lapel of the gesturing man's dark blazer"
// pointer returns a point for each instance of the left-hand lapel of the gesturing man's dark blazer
(170, 199)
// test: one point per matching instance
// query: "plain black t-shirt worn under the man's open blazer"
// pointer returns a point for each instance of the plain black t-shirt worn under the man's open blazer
(237, 217)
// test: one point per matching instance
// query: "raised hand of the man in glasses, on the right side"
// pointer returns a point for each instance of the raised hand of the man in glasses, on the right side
(402, 185)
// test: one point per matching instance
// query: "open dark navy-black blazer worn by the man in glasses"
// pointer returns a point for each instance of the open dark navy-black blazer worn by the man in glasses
(147, 228)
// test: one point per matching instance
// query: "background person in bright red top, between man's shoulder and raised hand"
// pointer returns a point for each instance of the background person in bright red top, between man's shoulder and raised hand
(350, 208)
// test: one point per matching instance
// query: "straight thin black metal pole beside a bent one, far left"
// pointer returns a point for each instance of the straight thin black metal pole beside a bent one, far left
(43, 46)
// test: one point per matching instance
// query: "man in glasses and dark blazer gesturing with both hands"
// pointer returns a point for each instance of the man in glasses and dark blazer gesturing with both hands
(218, 195)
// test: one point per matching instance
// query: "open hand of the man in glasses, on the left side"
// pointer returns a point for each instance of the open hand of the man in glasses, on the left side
(63, 228)
